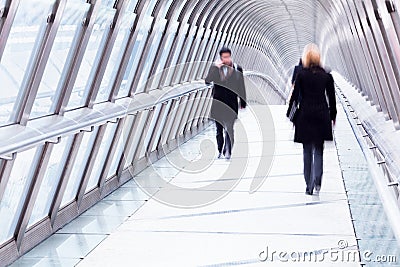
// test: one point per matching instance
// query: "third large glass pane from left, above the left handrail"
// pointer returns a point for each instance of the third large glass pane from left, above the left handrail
(92, 55)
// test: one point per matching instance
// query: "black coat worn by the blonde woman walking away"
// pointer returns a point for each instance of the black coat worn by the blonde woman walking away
(313, 123)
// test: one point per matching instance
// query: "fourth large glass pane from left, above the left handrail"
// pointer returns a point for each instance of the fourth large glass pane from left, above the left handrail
(115, 58)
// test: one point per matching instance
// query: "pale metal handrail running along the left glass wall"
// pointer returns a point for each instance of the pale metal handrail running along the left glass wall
(15, 138)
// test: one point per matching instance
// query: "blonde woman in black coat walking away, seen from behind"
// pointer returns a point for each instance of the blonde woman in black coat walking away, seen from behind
(313, 122)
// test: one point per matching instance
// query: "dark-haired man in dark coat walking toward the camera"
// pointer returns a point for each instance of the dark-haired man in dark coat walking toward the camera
(227, 90)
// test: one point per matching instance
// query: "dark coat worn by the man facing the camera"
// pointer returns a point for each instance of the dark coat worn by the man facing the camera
(225, 94)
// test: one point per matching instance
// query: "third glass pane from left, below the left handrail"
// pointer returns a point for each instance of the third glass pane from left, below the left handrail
(76, 176)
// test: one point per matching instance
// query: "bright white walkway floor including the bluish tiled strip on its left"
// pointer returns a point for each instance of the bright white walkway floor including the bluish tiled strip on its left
(158, 226)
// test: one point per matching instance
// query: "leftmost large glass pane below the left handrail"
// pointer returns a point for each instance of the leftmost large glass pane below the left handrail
(16, 191)
